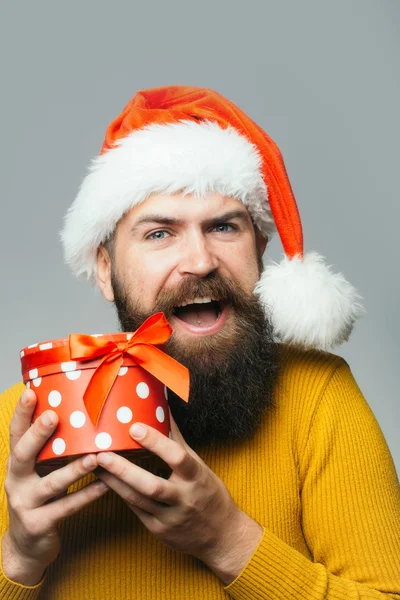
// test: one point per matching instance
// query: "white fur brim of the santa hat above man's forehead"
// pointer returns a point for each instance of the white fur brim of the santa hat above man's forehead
(189, 156)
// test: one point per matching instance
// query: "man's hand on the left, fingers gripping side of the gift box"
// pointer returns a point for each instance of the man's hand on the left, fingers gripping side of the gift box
(35, 507)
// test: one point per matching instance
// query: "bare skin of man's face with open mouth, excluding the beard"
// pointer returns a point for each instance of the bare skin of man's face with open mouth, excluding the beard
(168, 241)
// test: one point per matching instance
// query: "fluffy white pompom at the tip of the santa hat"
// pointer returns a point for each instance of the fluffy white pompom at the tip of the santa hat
(308, 304)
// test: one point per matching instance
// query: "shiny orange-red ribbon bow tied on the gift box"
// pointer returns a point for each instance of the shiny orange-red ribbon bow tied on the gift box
(142, 347)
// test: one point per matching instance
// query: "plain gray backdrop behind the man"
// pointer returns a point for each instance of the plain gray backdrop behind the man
(323, 79)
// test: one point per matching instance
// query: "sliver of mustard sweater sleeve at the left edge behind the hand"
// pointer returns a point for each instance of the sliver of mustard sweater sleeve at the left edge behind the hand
(9, 590)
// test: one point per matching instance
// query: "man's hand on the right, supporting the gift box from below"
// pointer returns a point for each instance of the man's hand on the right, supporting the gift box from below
(192, 511)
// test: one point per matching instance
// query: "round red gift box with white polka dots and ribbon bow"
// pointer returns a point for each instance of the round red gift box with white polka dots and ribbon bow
(100, 384)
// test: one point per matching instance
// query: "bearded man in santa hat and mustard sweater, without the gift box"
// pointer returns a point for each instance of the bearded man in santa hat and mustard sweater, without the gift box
(277, 482)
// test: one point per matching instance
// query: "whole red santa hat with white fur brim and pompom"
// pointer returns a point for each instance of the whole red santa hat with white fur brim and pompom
(183, 138)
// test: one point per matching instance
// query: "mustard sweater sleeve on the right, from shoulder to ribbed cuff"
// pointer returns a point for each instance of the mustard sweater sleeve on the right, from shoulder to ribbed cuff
(350, 498)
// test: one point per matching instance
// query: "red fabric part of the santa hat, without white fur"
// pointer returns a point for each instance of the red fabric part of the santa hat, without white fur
(172, 104)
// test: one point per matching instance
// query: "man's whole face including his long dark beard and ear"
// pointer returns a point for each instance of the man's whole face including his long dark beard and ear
(197, 260)
